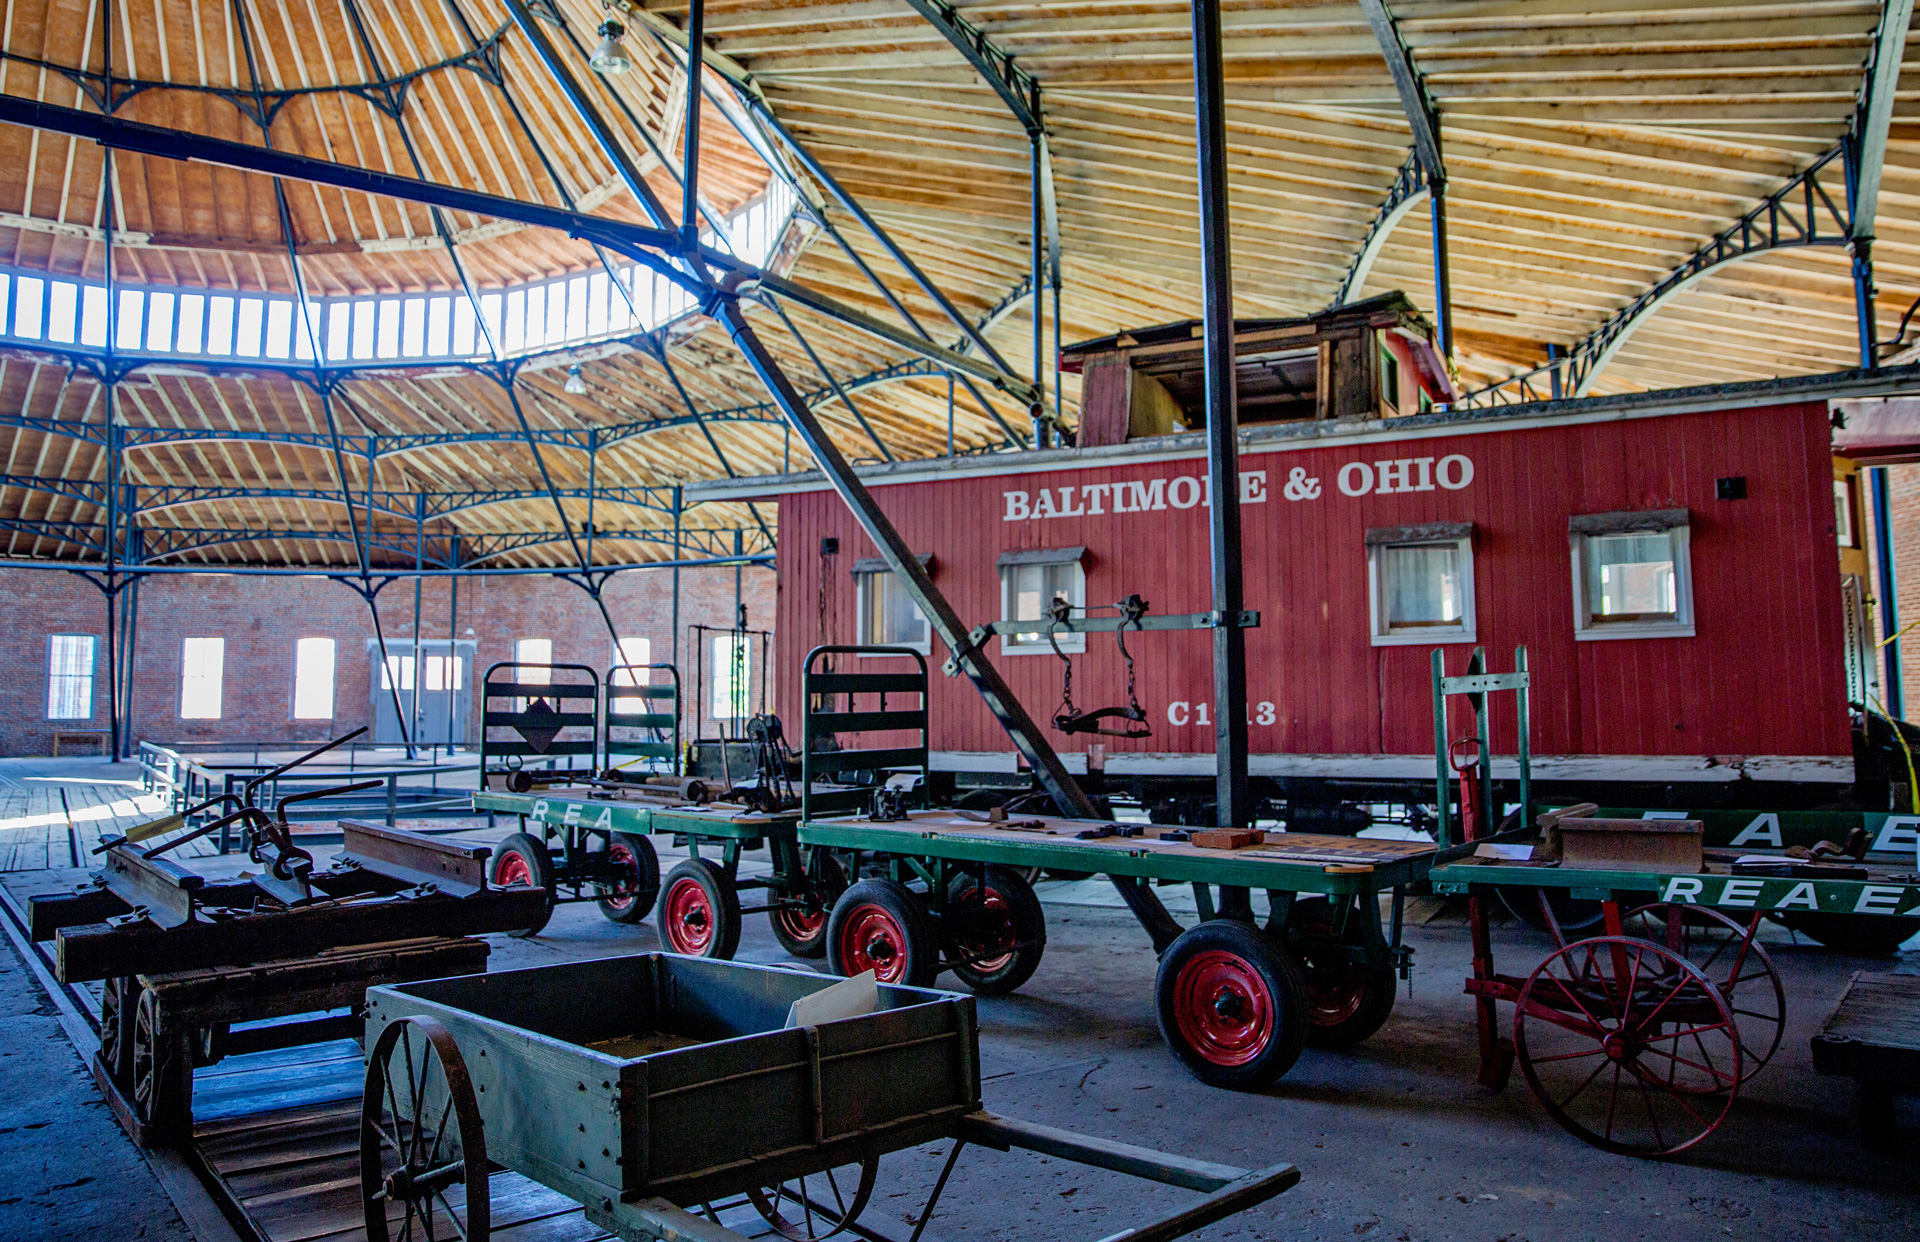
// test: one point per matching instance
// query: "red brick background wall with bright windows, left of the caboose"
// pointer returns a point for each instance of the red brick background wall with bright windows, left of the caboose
(262, 619)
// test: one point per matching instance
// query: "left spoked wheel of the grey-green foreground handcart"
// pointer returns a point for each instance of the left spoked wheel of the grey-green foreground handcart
(423, 1149)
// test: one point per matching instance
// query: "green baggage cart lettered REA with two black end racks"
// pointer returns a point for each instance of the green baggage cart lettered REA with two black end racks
(588, 809)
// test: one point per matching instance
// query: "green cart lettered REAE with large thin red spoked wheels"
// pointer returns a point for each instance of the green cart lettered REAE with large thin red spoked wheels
(1637, 1038)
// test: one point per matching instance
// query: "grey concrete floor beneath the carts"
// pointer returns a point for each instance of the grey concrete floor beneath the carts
(1393, 1139)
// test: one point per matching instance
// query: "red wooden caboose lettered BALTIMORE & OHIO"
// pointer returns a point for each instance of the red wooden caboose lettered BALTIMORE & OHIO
(1668, 560)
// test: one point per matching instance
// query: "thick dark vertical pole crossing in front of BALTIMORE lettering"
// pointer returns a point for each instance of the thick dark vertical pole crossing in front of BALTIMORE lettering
(1222, 444)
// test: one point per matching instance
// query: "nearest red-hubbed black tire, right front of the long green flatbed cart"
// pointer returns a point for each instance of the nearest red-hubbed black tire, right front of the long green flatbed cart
(1218, 963)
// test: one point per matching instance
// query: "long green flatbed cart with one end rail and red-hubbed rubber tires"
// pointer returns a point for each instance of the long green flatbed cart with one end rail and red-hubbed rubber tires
(948, 890)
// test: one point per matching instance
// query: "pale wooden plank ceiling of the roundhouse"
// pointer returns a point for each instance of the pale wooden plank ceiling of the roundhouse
(1593, 145)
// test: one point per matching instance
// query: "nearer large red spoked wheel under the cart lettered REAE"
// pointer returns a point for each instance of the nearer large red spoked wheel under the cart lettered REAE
(1627, 1045)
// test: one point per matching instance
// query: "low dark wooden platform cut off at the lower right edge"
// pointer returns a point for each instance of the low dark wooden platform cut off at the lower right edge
(1875, 1039)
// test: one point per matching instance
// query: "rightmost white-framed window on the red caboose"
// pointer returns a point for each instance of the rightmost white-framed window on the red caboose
(1631, 575)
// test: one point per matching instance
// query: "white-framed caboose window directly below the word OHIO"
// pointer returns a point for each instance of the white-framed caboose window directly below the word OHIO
(1420, 585)
